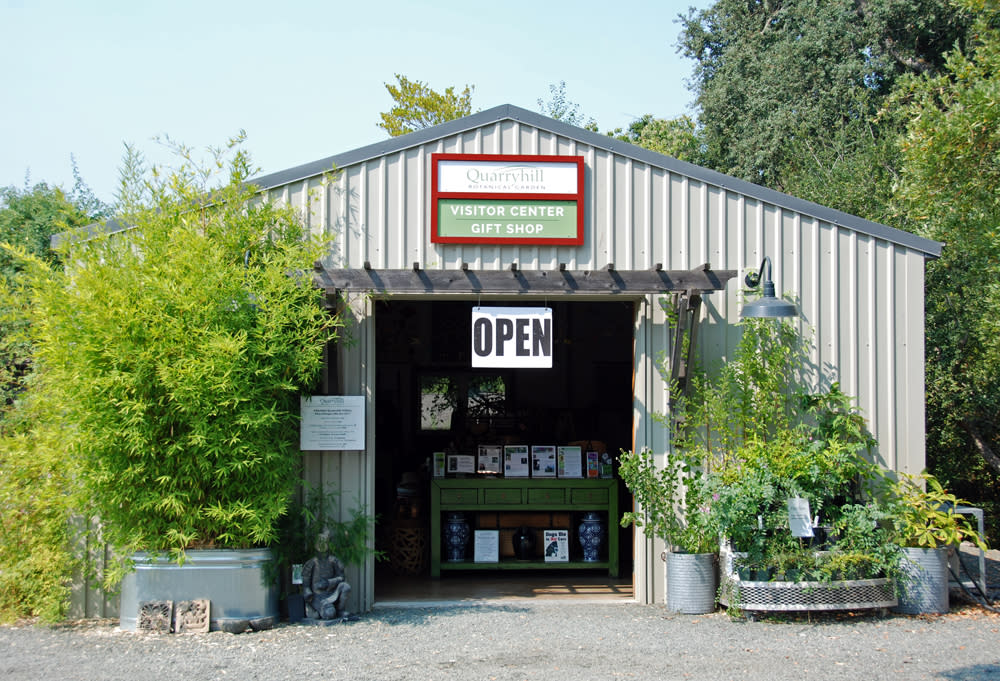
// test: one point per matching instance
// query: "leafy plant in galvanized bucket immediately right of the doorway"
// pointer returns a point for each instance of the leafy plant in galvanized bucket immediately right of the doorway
(675, 507)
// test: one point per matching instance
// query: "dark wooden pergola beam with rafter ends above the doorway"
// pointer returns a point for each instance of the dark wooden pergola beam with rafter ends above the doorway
(515, 280)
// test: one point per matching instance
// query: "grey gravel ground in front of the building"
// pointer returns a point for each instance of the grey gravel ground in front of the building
(515, 640)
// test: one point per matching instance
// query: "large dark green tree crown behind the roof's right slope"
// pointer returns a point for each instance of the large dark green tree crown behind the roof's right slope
(771, 76)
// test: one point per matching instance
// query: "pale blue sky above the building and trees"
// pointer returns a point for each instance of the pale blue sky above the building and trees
(305, 79)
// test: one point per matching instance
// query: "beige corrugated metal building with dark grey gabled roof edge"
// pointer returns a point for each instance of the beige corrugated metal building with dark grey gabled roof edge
(859, 287)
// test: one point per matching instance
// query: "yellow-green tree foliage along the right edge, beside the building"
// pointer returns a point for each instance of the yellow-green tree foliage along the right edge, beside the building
(948, 190)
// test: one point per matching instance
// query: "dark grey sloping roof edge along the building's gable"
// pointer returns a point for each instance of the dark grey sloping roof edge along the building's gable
(510, 112)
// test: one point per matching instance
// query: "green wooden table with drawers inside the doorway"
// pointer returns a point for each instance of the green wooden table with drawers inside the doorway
(524, 494)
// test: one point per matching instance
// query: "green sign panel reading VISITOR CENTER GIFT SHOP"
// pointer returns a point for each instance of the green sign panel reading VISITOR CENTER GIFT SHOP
(499, 219)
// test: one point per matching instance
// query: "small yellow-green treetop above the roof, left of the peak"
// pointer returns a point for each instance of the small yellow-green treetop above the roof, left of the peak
(417, 106)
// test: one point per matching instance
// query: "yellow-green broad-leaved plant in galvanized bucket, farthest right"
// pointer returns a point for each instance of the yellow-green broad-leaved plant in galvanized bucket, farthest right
(926, 526)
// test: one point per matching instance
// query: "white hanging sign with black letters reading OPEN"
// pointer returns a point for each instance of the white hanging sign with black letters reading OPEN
(512, 337)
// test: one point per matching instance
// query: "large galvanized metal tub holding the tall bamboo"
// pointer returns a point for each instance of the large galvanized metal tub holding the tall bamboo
(234, 580)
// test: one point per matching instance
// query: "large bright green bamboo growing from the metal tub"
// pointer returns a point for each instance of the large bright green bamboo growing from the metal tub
(174, 354)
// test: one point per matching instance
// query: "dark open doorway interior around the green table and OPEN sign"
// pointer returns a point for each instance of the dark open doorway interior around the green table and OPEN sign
(429, 399)
